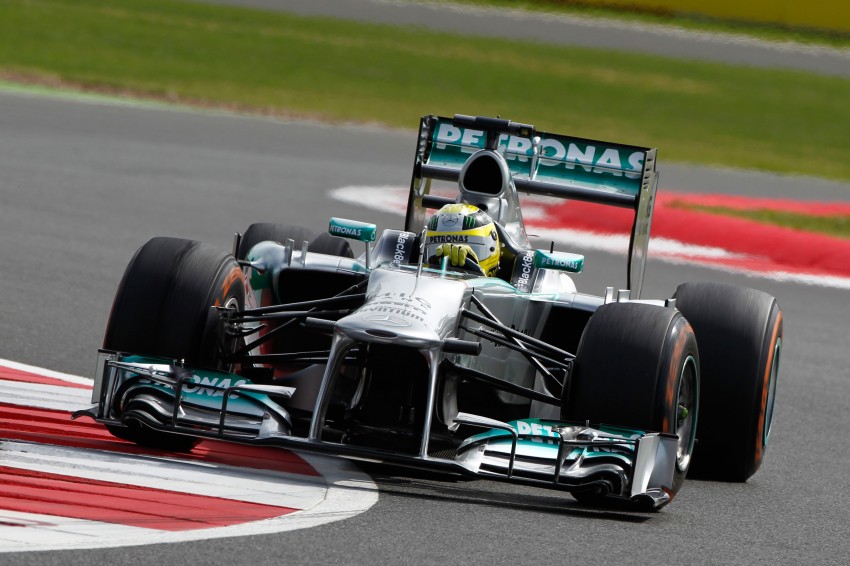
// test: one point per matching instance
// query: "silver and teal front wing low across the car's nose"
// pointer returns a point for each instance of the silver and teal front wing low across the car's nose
(604, 462)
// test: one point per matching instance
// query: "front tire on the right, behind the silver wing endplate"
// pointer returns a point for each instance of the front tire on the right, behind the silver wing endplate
(637, 366)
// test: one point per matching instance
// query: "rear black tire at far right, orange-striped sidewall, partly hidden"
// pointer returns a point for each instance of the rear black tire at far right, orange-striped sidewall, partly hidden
(739, 332)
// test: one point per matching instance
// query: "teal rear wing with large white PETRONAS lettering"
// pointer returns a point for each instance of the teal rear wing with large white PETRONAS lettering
(538, 163)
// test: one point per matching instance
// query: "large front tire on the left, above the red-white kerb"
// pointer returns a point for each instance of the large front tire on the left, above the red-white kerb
(164, 308)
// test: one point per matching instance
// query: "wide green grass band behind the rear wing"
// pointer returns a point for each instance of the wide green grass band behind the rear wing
(342, 71)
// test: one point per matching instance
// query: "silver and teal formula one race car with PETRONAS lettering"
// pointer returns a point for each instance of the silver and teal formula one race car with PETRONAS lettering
(400, 356)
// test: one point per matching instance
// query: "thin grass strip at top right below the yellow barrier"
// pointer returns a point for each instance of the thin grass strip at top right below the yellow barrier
(766, 32)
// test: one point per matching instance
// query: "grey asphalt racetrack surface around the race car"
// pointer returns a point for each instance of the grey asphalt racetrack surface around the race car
(84, 184)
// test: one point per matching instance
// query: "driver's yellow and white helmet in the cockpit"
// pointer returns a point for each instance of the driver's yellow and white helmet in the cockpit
(461, 223)
